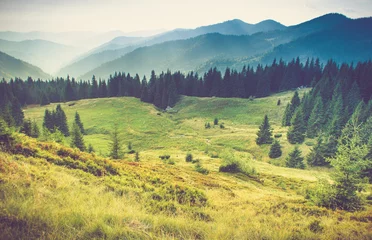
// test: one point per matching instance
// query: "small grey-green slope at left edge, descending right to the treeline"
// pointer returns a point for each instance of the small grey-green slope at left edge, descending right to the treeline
(11, 67)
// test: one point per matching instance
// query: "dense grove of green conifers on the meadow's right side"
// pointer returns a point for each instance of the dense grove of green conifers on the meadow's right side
(336, 103)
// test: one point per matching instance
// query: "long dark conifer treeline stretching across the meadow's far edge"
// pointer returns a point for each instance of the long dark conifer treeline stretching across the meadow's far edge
(163, 90)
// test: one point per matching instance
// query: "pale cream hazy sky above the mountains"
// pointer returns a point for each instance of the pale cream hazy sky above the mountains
(135, 15)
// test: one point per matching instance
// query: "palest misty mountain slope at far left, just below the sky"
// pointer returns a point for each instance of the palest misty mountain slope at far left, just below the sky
(47, 55)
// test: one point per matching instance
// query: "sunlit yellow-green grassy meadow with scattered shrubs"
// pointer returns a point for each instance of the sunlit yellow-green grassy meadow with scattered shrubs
(42, 197)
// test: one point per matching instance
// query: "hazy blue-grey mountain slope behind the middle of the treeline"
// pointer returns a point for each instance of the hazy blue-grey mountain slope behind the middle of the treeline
(182, 55)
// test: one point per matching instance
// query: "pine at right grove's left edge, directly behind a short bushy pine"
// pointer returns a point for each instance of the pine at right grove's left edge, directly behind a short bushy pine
(296, 133)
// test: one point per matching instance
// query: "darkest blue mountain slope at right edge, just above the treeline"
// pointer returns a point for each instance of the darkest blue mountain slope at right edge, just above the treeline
(347, 42)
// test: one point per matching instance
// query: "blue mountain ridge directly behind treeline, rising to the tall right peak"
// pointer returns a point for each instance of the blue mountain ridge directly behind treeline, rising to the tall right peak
(340, 38)
